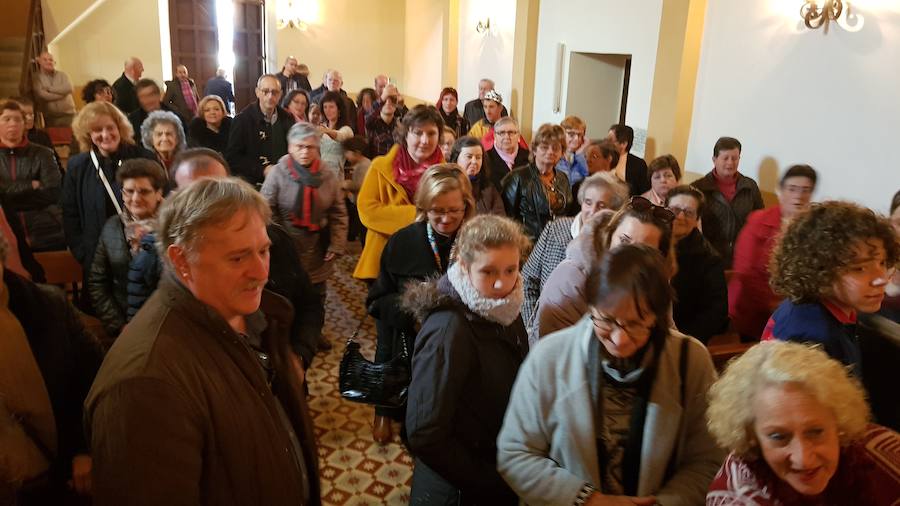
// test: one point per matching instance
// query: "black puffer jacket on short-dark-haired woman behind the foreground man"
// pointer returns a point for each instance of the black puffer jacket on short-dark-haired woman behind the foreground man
(108, 278)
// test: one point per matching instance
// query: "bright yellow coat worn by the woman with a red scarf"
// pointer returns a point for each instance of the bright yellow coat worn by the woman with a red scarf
(384, 208)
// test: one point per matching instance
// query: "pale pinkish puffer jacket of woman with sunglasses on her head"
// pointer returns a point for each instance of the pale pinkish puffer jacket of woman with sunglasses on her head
(563, 300)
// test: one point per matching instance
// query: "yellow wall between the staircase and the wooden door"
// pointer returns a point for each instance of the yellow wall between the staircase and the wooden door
(98, 45)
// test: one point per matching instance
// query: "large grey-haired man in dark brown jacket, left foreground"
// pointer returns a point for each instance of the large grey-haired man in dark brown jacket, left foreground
(198, 402)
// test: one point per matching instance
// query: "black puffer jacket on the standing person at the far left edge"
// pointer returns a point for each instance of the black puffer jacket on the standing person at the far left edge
(37, 209)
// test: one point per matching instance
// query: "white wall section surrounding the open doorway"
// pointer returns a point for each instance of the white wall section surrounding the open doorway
(597, 26)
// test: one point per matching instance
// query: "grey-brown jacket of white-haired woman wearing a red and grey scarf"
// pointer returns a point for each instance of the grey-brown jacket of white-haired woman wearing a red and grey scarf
(329, 212)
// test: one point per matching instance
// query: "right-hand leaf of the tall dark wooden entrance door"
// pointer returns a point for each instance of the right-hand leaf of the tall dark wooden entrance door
(249, 49)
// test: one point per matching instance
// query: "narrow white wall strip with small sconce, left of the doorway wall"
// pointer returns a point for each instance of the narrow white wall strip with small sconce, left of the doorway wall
(485, 55)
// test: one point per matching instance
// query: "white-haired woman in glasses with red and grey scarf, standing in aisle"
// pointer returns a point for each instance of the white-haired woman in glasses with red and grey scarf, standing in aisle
(307, 200)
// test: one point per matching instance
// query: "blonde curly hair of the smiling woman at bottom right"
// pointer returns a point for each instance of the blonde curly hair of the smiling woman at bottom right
(730, 415)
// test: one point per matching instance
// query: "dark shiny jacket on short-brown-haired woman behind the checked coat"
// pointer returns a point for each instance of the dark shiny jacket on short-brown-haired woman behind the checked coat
(526, 202)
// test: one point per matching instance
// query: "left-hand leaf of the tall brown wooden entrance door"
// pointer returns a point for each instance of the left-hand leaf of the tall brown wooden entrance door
(195, 38)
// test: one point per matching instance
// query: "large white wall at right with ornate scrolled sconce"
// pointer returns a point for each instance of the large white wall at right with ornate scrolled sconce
(799, 96)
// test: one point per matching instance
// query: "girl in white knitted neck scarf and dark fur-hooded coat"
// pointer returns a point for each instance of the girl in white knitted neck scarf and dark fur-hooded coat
(468, 352)
